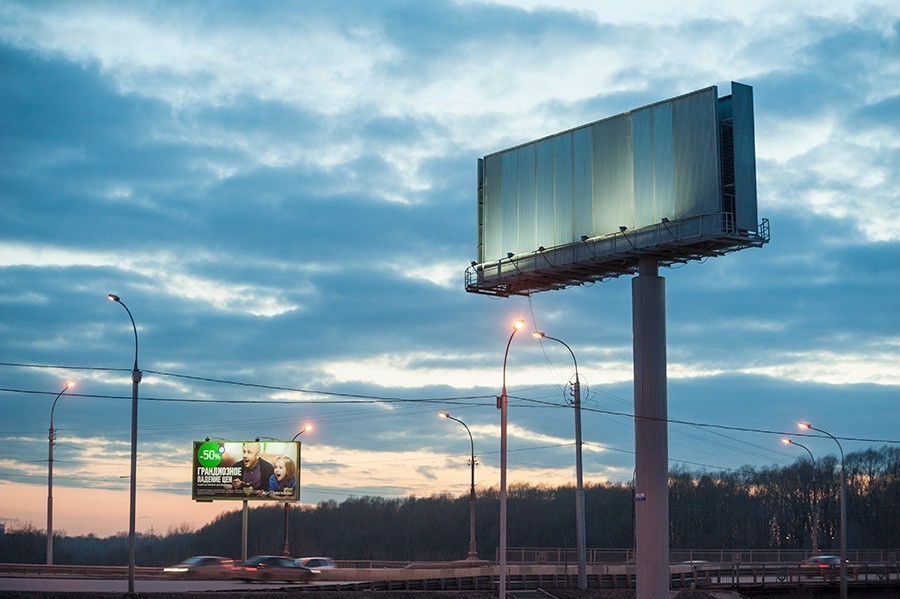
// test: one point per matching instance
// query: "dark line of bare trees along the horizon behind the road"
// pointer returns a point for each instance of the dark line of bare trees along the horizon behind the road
(749, 508)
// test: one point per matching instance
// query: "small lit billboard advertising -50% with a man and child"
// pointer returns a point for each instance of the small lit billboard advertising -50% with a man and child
(251, 470)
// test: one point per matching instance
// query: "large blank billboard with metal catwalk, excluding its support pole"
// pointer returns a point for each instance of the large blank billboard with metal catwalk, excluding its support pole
(675, 180)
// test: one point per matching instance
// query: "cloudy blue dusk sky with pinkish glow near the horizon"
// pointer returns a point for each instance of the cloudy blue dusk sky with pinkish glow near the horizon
(284, 197)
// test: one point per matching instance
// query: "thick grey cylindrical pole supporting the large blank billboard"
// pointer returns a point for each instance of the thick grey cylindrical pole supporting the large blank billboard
(650, 431)
